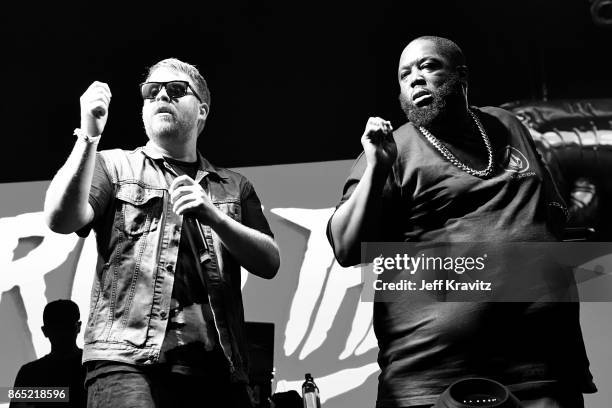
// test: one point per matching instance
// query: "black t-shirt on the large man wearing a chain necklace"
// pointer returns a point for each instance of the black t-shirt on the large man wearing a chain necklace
(424, 347)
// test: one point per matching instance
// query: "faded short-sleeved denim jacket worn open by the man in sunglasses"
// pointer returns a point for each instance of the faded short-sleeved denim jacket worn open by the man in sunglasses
(138, 238)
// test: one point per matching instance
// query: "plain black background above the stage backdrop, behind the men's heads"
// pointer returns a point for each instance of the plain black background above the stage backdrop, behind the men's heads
(291, 81)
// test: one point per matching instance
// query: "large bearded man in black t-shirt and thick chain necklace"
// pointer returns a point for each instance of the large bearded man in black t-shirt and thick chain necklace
(456, 173)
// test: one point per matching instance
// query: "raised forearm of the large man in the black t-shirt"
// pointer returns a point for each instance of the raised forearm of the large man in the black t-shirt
(359, 218)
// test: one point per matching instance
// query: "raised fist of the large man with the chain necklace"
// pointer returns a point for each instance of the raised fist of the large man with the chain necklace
(378, 143)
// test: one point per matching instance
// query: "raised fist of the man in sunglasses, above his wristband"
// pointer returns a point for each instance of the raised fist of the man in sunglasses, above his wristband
(94, 108)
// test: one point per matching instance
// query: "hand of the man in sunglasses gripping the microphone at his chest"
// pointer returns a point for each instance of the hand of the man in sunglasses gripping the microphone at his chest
(189, 198)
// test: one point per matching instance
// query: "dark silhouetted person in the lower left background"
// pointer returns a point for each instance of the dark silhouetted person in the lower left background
(62, 366)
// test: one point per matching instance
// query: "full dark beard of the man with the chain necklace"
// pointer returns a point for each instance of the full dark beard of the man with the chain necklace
(442, 108)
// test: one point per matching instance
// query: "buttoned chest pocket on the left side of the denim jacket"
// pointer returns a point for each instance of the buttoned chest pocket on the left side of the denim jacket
(139, 209)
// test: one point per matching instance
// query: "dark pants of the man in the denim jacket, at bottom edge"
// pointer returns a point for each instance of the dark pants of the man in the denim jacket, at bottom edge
(157, 389)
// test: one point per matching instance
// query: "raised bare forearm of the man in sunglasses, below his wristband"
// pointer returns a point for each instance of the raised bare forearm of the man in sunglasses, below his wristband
(66, 205)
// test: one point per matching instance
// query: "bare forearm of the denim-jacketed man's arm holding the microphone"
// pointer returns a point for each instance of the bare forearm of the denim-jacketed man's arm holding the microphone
(255, 251)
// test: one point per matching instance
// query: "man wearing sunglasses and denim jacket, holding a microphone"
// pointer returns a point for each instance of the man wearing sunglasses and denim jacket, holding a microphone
(166, 320)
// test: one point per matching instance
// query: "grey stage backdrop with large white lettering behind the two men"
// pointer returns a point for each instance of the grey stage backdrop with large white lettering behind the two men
(321, 326)
